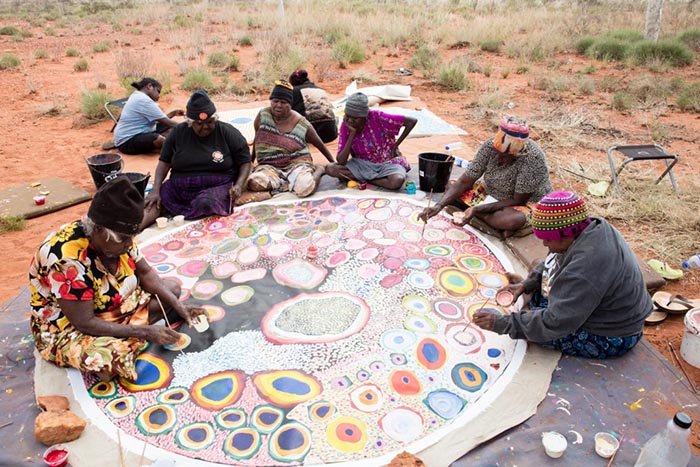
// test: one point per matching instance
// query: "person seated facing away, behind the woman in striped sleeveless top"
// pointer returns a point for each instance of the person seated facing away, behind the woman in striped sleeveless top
(312, 102)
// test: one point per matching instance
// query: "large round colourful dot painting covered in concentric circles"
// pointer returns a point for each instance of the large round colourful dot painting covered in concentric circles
(339, 332)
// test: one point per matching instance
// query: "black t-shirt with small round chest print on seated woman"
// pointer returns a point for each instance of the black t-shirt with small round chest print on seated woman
(222, 152)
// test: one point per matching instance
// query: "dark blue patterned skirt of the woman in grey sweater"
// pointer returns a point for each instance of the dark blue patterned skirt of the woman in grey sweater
(583, 343)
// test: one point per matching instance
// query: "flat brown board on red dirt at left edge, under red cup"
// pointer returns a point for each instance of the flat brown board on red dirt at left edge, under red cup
(19, 200)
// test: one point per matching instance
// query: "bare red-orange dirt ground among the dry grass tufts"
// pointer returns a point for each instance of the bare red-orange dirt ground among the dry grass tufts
(43, 135)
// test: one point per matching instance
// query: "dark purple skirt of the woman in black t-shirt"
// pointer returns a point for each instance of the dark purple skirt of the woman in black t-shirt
(197, 196)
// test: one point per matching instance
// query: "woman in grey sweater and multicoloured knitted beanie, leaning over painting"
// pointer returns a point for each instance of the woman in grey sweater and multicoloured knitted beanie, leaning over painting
(589, 298)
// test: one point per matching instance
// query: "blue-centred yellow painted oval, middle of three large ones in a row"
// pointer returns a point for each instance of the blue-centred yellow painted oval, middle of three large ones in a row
(218, 390)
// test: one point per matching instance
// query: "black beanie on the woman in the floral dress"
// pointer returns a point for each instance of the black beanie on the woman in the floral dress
(118, 206)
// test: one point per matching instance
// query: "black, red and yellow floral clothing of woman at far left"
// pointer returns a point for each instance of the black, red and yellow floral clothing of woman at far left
(67, 267)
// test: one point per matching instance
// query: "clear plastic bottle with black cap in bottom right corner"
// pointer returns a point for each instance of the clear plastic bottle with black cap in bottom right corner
(668, 448)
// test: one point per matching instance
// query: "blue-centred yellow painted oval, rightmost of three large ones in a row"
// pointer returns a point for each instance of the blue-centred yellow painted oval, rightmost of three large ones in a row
(286, 388)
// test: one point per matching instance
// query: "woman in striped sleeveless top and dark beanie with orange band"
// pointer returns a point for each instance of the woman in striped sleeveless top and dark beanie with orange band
(281, 150)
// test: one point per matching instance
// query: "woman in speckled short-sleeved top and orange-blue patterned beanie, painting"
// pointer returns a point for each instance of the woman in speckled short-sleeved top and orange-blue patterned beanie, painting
(515, 173)
